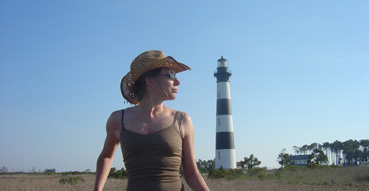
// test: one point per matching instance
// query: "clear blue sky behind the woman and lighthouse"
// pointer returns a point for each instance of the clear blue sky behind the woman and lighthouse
(300, 73)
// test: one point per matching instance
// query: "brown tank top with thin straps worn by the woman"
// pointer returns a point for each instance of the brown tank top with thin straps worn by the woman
(152, 161)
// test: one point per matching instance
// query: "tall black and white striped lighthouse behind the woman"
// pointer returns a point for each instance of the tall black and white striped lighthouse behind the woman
(225, 154)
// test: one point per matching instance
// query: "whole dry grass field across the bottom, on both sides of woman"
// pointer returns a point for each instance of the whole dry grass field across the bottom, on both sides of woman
(353, 178)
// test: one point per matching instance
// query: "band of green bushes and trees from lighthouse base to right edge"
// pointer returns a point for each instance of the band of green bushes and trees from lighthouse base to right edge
(322, 156)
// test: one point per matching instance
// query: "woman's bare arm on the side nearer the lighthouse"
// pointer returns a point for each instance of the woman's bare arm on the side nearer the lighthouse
(192, 175)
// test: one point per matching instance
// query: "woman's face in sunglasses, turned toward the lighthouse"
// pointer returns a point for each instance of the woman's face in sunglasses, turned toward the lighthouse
(168, 84)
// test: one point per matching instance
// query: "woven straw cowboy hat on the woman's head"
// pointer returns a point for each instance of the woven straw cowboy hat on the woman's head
(143, 63)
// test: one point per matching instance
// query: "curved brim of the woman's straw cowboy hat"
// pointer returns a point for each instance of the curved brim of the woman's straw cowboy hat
(128, 82)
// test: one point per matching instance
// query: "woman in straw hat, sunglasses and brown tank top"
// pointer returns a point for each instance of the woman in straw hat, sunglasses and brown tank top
(155, 140)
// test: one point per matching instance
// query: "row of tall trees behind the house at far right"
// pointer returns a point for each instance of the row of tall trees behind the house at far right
(350, 152)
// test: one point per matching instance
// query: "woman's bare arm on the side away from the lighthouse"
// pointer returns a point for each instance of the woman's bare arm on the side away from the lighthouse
(105, 160)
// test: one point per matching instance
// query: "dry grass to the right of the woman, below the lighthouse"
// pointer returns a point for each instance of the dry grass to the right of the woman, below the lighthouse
(338, 179)
